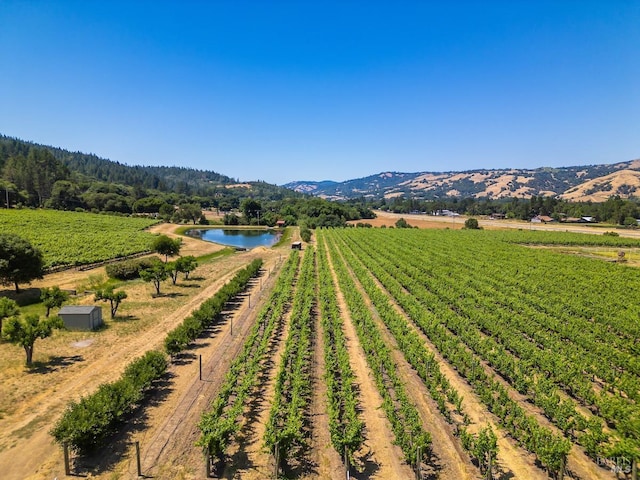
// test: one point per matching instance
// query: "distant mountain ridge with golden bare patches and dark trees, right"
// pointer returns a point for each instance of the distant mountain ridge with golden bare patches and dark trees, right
(578, 183)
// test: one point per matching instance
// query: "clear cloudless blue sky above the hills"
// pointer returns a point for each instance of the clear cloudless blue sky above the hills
(282, 91)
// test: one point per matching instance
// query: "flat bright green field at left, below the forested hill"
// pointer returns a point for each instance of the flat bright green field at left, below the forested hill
(78, 238)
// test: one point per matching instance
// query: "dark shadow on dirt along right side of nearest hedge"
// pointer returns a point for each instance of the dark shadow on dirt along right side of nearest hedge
(118, 446)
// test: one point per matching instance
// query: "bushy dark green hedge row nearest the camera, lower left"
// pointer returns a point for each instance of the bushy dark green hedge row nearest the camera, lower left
(87, 423)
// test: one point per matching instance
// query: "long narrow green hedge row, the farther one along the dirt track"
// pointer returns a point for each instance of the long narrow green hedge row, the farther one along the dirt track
(179, 338)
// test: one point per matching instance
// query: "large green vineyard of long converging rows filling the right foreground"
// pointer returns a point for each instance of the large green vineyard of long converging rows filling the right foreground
(544, 345)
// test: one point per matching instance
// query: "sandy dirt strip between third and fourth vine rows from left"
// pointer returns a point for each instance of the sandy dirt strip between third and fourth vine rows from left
(379, 457)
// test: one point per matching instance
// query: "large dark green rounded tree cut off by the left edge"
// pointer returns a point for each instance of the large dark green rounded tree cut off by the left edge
(20, 262)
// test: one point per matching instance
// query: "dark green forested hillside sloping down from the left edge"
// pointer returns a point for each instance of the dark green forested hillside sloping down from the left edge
(34, 175)
